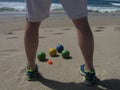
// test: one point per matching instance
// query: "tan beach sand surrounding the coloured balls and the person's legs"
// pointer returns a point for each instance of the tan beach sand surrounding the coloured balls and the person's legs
(63, 73)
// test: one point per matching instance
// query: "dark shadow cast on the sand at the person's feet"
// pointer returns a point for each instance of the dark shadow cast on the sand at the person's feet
(111, 84)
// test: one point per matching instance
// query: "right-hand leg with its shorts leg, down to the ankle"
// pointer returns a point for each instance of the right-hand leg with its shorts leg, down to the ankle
(77, 11)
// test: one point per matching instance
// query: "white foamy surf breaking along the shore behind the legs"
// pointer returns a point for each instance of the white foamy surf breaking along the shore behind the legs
(20, 7)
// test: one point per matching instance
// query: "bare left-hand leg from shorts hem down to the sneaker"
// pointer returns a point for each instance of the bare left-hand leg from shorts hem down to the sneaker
(31, 42)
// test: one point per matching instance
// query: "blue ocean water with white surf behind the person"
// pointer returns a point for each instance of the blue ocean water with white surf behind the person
(101, 6)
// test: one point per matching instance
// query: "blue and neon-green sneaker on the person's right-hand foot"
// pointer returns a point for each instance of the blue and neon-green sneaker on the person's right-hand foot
(89, 76)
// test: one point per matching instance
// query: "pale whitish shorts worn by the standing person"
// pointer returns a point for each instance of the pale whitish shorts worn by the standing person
(38, 10)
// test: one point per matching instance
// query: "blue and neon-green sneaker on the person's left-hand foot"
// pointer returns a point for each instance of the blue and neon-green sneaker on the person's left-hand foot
(32, 75)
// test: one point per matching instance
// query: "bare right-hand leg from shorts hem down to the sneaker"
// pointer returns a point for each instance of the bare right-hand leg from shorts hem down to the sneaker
(85, 40)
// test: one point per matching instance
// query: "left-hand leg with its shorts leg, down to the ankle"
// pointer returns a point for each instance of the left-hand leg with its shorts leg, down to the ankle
(36, 11)
